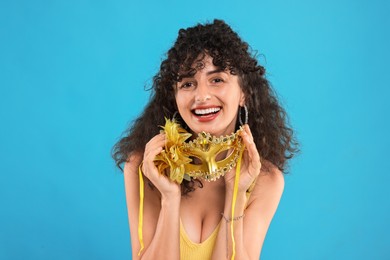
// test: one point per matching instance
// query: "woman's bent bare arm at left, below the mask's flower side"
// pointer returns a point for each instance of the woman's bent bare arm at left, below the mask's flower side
(161, 212)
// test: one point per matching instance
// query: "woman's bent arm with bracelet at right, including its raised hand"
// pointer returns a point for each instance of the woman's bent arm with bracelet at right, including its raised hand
(251, 218)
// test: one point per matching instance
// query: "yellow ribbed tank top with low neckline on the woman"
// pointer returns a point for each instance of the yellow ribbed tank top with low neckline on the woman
(196, 251)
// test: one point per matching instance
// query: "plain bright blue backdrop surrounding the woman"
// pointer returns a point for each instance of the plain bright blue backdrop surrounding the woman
(71, 79)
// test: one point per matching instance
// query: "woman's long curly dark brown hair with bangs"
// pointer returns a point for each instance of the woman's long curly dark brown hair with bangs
(267, 119)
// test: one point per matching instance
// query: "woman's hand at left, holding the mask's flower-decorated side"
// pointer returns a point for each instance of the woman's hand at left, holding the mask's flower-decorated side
(166, 187)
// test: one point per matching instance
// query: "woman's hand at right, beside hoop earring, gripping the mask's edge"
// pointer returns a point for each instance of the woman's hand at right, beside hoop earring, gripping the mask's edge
(250, 164)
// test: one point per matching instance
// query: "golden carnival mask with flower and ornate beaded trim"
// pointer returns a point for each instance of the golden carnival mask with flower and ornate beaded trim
(179, 156)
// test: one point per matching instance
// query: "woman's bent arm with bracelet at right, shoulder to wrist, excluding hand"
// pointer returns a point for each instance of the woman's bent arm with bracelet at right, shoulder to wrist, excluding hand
(250, 231)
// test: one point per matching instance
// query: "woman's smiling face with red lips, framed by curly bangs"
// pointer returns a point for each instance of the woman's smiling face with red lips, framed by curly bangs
(209, 100)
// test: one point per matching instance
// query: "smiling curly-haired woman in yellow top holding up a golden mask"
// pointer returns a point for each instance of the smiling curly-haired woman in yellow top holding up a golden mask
(209, 83)
